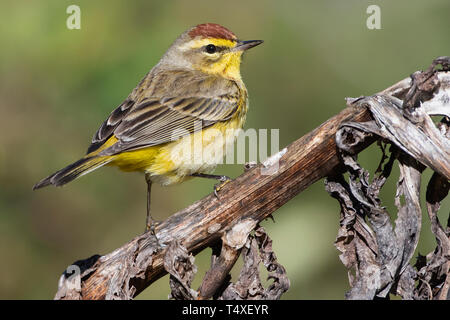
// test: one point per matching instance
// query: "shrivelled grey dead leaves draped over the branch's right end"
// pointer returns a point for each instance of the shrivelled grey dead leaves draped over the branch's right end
(377, 252)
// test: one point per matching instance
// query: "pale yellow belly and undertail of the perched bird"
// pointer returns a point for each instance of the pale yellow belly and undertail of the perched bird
(173, 162)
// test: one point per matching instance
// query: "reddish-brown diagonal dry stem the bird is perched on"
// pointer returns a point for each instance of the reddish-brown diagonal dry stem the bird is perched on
(251, 197)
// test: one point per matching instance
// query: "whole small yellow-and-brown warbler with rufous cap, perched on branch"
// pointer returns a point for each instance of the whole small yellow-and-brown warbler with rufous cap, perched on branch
(194, 91)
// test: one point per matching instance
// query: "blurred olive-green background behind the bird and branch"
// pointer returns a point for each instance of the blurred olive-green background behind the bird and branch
(58, 85)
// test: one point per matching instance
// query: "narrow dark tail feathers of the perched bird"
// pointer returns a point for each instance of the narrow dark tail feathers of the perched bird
(73, 171)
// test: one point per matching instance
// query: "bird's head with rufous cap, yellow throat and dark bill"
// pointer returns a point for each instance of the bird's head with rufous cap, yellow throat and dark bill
(209, 48)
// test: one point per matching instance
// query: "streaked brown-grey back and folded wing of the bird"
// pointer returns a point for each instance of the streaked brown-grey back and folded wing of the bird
(167, 109)
